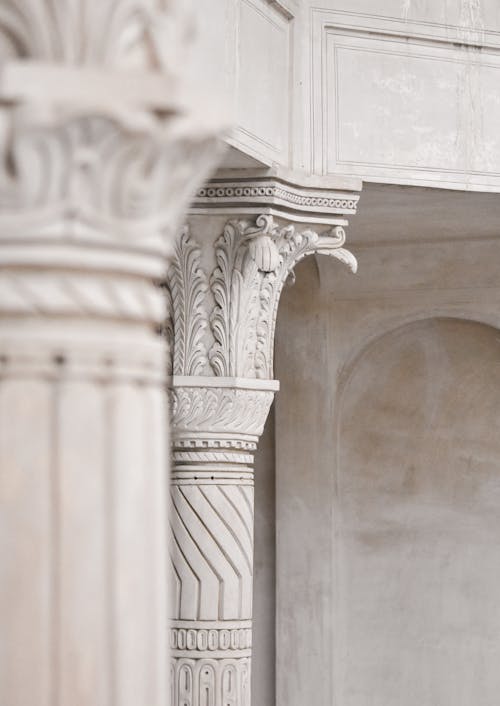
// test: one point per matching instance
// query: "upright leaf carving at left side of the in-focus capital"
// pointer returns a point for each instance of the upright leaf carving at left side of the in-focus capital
(188, 285)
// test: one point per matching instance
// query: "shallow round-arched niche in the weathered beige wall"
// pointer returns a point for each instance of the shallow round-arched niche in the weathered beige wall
(417, 519)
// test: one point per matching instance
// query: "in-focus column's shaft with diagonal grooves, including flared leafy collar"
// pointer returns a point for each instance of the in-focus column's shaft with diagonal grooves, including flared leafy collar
(217, 427)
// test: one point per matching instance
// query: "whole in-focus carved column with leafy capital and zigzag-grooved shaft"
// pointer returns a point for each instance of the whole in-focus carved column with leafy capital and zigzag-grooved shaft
(244, 237)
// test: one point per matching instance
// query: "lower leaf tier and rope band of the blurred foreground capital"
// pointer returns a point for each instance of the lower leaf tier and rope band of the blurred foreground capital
(89, 207)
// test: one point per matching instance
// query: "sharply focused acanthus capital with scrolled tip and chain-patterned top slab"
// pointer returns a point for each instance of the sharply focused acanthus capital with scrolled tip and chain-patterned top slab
(222, 317)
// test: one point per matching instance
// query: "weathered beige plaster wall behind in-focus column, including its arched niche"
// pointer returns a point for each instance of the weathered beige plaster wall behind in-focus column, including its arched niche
(387, 463)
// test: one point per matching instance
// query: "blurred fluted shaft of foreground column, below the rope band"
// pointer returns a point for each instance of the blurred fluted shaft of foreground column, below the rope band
(83, 520)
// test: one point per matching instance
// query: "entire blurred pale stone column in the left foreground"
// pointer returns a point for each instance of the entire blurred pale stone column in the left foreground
(98, 157)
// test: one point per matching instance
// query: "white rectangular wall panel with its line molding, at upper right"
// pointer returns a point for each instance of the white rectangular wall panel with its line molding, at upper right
(433, 103)
